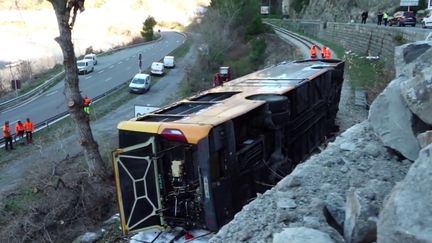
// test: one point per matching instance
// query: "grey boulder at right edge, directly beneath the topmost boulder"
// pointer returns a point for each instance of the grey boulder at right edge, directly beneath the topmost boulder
(417, 92)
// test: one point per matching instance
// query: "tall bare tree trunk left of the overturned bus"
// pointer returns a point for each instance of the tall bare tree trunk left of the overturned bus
(66, 12)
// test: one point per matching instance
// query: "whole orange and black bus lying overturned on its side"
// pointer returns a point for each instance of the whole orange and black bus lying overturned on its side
(196, 162)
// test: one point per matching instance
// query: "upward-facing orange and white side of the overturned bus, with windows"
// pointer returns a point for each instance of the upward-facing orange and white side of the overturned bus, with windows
(220, 104)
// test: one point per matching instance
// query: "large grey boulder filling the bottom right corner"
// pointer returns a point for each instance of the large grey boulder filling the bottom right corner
(407, 213)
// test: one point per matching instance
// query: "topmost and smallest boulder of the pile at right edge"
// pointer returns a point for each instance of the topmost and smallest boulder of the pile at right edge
(412, 58)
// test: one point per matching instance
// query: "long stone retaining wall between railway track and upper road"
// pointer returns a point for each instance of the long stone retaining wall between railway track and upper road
(362, 39)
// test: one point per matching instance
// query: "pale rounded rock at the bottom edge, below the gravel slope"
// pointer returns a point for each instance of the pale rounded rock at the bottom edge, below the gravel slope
(301, 235)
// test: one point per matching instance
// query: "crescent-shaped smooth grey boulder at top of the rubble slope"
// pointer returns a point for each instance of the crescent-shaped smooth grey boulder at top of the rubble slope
(392, 121)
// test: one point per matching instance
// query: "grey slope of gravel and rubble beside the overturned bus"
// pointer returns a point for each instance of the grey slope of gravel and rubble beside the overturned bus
(313, 195)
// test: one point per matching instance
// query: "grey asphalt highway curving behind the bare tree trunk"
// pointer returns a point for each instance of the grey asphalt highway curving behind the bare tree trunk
(110, 71)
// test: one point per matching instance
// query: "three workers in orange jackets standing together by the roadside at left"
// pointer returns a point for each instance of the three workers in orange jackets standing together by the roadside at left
(20, 129)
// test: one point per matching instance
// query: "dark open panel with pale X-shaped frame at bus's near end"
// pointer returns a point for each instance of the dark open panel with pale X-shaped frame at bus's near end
(137, 187)
